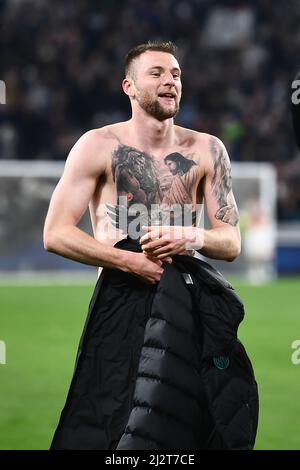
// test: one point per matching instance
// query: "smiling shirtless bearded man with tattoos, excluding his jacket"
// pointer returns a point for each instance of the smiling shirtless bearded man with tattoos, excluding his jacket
(129, 158)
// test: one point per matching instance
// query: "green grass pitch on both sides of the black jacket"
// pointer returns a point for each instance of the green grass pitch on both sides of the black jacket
(41, 328)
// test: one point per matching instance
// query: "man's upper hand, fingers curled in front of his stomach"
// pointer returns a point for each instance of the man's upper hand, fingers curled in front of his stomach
(165, 241)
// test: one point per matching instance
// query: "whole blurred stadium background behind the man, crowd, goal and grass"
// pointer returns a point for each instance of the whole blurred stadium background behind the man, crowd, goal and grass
(62, 64)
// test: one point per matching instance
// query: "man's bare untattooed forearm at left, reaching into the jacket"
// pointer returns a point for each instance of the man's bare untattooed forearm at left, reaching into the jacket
(73, 243)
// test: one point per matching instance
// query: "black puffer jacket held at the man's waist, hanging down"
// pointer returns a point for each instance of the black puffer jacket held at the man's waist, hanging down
(160, 367)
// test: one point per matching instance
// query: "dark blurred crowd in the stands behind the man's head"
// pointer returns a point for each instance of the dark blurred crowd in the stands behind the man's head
(62, 63)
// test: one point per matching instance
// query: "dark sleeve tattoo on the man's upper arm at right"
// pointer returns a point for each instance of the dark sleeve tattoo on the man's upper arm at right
(222, 185)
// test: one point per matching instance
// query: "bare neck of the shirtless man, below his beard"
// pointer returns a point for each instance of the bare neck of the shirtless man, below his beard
(151, 134)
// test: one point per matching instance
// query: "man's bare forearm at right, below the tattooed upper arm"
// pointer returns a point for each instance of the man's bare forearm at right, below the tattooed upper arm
(220, 243)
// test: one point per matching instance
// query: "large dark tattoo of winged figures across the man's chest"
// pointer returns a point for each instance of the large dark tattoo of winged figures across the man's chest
(141, 179)
